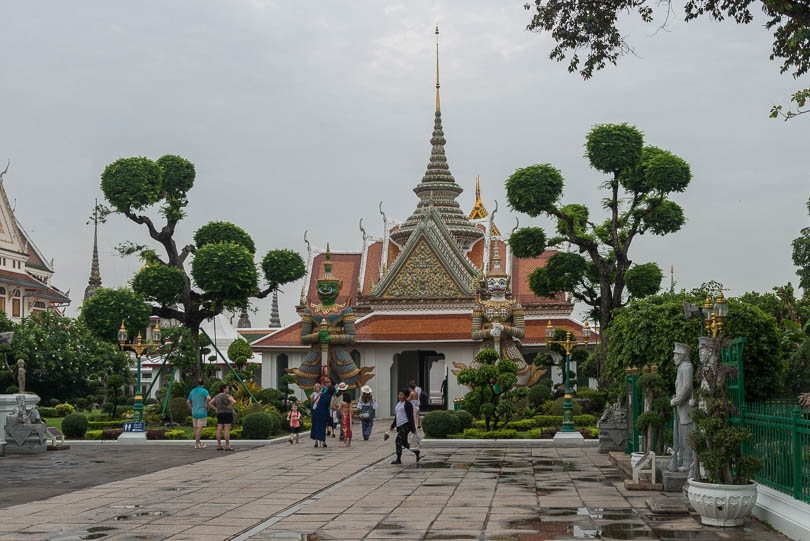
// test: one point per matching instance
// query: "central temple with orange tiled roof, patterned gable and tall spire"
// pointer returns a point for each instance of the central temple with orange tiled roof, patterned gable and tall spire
(413, 289)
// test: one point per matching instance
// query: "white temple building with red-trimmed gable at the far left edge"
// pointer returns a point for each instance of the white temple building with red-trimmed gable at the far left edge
(25, 273)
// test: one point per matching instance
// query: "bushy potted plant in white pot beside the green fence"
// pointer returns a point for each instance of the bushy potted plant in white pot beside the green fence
(721, 491)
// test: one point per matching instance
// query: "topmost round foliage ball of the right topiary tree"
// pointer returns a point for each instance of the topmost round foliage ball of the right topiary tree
(612, 148)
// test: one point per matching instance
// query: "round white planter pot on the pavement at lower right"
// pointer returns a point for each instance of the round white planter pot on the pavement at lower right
(722, 505)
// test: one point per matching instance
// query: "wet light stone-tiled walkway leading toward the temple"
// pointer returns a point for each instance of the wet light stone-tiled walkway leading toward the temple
(297, 492)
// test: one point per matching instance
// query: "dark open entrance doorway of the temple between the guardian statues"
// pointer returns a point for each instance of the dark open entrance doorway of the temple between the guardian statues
(425, 367)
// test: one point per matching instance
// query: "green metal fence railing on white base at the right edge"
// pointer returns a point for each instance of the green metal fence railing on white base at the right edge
(781, 440)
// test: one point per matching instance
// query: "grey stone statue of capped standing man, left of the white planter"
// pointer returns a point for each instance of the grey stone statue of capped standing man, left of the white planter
(682, 455)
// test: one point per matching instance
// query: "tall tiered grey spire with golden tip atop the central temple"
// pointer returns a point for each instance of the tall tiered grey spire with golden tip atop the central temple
(438, 188)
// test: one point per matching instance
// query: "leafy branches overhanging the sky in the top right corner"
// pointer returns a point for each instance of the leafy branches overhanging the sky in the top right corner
(591, 28)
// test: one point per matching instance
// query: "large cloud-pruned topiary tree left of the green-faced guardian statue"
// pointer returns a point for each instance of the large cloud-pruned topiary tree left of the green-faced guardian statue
(223, 273)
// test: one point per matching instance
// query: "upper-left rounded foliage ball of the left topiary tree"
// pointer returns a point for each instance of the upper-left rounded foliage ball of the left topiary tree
(131, 183)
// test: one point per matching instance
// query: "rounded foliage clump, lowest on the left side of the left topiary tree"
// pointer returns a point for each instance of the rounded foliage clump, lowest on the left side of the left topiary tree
(107, 308)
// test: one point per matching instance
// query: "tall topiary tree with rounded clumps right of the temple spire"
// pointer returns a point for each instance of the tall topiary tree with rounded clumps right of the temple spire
(640, 181)
